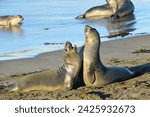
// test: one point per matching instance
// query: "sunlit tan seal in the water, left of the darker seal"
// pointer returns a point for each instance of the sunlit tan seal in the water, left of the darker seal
(102, 11)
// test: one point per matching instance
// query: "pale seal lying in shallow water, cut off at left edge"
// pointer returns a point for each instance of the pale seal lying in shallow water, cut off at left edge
(11, 20)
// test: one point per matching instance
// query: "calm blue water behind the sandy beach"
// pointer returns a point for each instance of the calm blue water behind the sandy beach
(48, 24)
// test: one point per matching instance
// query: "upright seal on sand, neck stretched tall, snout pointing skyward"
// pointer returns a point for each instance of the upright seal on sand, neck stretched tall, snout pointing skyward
(94, 72)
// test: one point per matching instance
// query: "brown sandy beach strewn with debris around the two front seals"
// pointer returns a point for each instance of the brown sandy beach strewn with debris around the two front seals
(126, 52)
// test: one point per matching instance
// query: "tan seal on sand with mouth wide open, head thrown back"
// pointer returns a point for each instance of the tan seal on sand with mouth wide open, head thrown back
(57, 79)
